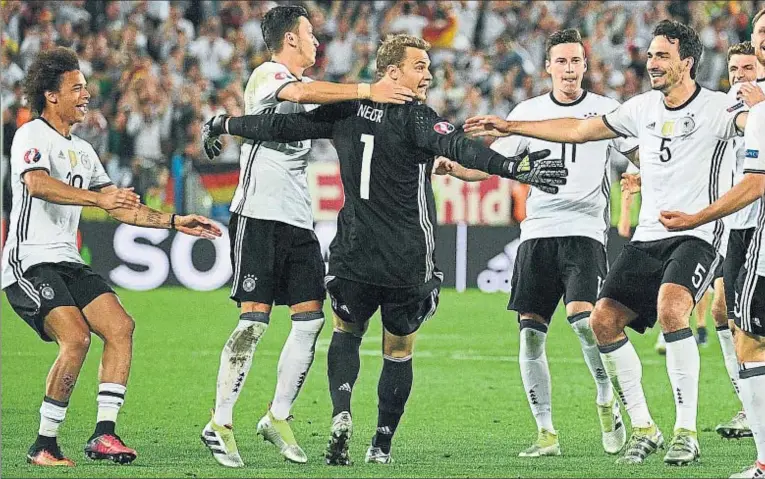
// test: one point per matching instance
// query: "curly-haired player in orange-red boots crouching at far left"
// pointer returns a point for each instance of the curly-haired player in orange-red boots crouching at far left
(53, 175)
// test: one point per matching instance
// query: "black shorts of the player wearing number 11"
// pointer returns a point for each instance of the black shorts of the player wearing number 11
(545, 269)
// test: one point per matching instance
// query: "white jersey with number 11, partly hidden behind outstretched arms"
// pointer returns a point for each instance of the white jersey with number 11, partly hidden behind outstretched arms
(581, 206)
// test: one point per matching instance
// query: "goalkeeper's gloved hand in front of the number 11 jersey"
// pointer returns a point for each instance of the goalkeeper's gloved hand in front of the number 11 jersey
(534, 170)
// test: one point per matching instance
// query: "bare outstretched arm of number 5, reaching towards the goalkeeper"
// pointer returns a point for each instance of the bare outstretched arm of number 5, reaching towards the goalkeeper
(560, 130)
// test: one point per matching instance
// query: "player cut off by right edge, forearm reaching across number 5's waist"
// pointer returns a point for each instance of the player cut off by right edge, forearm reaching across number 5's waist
(749, 312)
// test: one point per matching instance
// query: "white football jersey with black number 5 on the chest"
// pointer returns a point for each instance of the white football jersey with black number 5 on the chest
(683, 160)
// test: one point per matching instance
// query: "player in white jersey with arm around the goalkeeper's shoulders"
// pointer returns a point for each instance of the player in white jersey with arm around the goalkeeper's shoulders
(275, 254)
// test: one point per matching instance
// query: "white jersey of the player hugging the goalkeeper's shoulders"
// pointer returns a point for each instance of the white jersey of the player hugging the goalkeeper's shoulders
(273, 184)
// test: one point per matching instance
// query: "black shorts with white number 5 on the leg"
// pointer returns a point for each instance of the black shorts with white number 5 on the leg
(642, 267)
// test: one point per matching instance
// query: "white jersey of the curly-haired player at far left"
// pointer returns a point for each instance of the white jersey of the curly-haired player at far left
(43, 232)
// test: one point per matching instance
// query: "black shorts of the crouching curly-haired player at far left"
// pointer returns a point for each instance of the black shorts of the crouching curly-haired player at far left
(46, 286)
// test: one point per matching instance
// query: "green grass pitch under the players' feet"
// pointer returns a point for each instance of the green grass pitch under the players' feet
(467, 415)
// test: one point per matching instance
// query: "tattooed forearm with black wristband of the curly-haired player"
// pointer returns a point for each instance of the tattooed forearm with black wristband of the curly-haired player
(146, 217)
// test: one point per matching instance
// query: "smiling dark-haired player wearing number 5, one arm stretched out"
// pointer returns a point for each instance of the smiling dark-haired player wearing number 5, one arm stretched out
(683, 132)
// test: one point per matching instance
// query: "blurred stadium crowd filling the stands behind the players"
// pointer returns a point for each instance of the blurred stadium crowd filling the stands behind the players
(156, 69)
